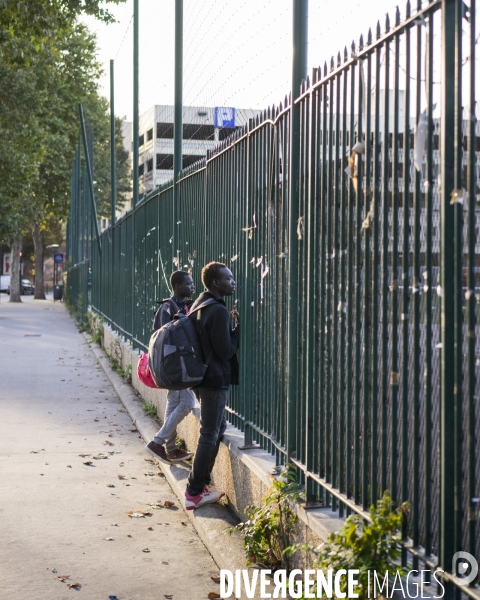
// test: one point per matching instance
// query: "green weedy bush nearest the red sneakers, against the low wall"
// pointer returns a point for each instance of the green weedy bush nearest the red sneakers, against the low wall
(268, 527)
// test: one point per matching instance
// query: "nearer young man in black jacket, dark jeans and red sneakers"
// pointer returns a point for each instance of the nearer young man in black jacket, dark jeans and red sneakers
(219, 346)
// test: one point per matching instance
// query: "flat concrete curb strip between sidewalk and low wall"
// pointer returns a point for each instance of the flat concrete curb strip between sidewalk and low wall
(210, 521)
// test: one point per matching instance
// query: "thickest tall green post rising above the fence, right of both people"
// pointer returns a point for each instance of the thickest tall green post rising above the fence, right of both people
(299, 73)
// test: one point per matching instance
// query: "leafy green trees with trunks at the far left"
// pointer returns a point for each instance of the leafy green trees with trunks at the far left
(33, 50)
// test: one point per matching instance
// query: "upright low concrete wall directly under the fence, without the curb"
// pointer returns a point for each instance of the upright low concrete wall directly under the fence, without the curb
(243, 474)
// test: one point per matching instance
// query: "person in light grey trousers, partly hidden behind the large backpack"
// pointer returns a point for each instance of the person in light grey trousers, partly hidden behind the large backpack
(179, 402)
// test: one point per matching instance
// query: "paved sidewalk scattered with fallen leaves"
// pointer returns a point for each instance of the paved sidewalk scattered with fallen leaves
(60, 516)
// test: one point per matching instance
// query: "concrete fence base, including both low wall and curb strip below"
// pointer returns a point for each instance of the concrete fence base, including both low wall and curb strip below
(245, 475)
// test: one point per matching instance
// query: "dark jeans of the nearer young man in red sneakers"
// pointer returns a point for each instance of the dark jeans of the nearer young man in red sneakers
(212, 428)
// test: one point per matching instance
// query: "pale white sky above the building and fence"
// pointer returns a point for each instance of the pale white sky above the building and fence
(236, 52)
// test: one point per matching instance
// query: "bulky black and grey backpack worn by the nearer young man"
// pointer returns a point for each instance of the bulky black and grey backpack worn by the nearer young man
(175, 355)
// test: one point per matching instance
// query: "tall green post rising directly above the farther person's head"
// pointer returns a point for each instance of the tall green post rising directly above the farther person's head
(178, 121)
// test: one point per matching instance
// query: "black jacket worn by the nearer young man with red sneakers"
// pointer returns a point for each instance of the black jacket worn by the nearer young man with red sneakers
(218, 339)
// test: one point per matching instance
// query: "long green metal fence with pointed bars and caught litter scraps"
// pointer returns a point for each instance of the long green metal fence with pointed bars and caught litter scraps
(385, 351)
